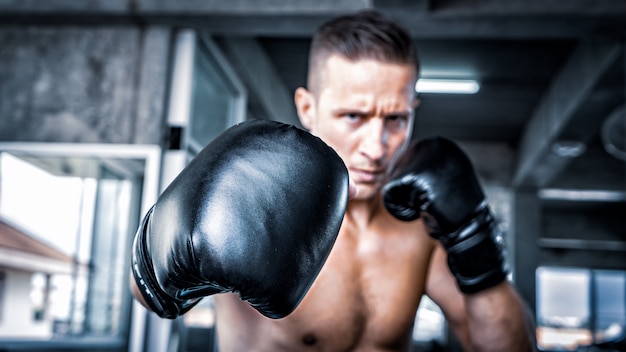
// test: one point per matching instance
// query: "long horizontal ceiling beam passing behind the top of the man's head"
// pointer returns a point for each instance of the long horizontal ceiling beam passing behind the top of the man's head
(421, 26)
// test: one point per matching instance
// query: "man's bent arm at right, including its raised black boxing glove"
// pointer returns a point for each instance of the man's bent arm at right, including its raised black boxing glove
(435, 180)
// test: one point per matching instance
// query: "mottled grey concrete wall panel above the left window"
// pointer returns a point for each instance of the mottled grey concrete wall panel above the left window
(82, 84)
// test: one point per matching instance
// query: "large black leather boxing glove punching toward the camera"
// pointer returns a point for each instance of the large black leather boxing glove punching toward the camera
(256, 212)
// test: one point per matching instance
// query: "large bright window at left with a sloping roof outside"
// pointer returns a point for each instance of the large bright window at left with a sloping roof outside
(68, 215)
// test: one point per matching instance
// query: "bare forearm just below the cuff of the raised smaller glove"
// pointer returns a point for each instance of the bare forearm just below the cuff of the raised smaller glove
(498, 320)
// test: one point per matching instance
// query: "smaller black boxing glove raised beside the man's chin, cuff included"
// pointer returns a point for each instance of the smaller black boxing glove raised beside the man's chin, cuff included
(434, 179)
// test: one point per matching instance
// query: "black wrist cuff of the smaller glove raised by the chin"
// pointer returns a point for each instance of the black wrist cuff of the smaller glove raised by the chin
(476, 253)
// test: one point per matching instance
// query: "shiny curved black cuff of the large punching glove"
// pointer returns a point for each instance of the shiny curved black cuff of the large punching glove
(160, 302)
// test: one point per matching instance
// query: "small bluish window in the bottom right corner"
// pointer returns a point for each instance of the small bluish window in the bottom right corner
(579, 307)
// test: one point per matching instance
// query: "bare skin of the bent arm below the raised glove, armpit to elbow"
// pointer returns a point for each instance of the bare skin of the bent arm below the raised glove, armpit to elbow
(495, 319)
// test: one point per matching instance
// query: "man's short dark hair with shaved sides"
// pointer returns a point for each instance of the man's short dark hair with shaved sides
(363, 35)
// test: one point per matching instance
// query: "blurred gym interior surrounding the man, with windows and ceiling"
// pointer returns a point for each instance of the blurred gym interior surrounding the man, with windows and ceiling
(102, 103)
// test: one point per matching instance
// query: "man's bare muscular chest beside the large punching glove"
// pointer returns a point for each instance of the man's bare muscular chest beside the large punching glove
(366, 295)
